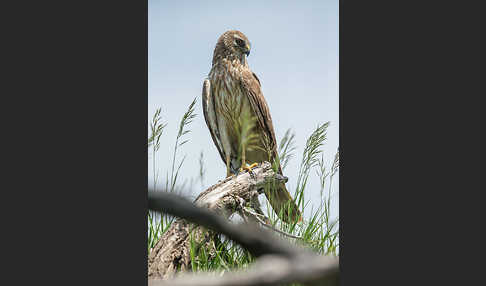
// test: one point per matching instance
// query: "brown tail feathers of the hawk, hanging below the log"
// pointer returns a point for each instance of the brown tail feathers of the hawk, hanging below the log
(283, 204)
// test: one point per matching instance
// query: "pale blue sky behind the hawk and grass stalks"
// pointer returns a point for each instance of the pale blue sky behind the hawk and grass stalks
(294, 54)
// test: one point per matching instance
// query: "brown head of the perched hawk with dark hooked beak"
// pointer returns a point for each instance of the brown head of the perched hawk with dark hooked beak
(232, 44)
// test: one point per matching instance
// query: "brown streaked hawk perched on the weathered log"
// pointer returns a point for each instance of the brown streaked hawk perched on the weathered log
(238, 117)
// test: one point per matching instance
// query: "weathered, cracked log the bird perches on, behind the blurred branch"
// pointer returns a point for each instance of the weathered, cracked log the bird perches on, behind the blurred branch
(172, 251)
